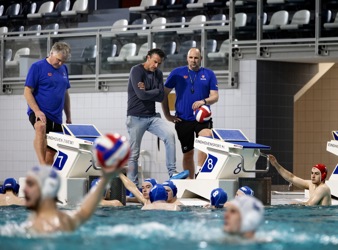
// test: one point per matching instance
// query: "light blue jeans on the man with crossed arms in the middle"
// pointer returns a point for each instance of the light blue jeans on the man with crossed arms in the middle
(137, 126)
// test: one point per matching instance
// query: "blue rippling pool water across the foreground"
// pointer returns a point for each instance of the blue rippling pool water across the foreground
(285, 227)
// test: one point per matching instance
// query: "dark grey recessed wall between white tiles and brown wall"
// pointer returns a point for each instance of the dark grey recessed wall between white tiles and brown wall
(277, 83)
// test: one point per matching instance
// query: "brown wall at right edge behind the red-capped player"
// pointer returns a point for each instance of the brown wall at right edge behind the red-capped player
(314, 118)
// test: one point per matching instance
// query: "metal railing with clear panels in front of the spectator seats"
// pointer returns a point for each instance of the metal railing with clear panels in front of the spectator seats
(95, 73)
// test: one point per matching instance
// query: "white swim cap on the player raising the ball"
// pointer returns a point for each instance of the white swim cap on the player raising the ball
(48, 180)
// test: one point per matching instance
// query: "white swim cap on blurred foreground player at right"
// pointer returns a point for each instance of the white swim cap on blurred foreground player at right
(251, 210)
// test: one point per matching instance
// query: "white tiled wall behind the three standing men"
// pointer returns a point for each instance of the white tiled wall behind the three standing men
(235, 109)
